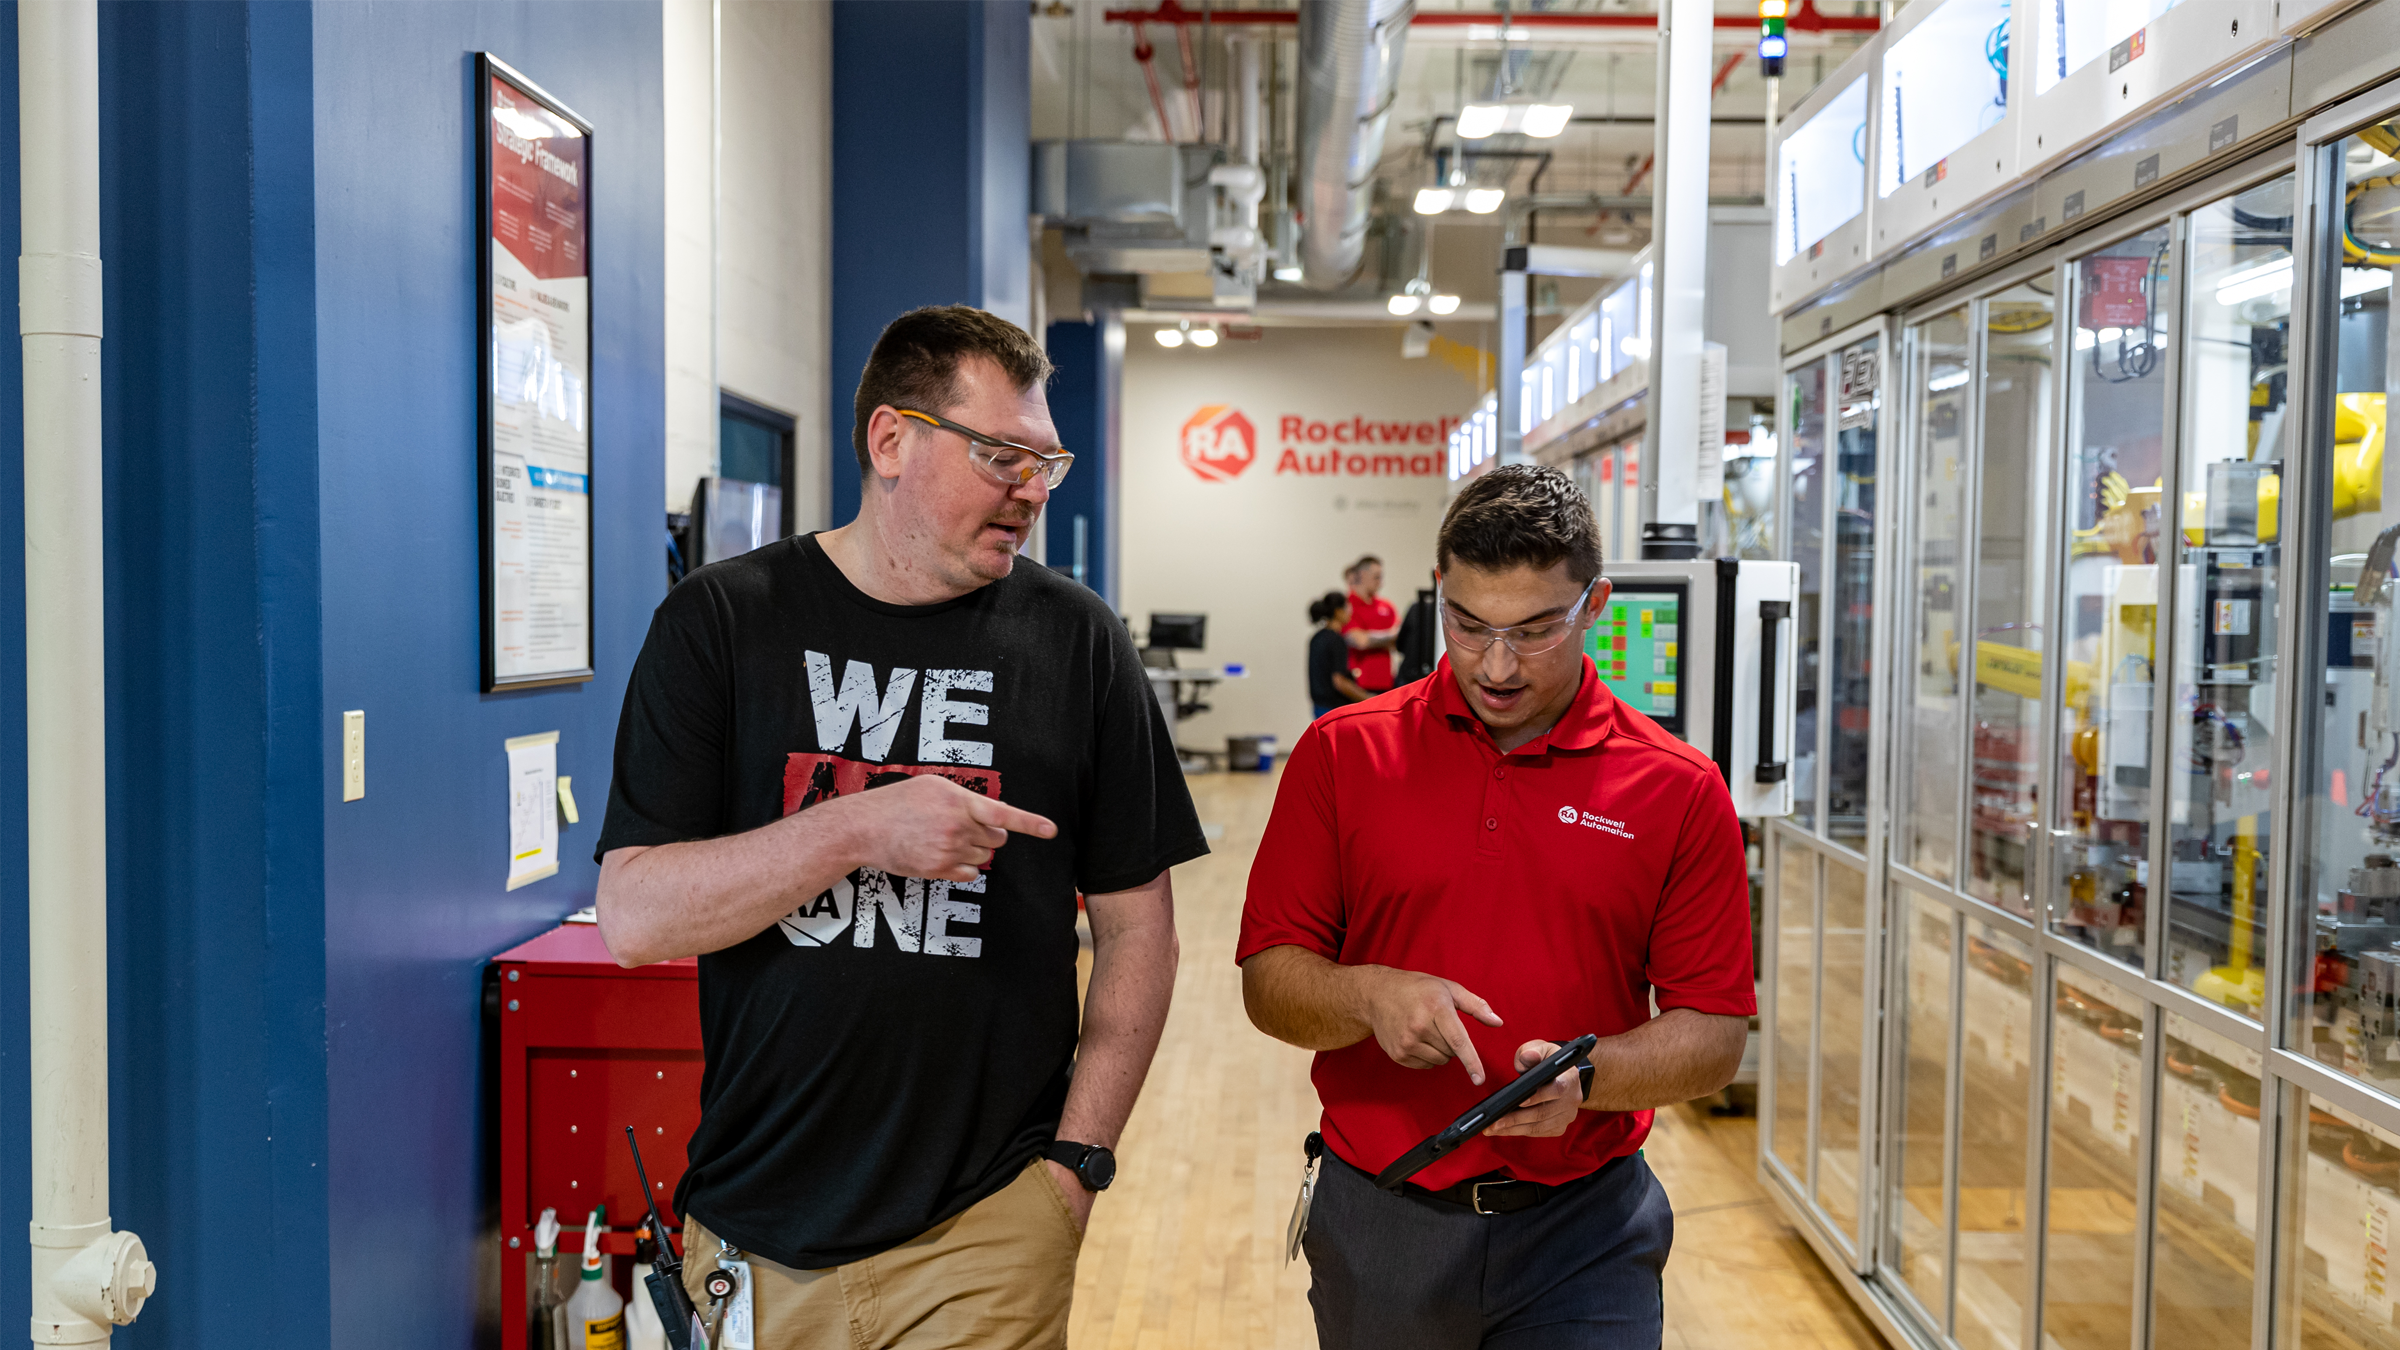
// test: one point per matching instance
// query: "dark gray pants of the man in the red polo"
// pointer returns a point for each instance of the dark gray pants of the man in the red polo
(1417, 1274)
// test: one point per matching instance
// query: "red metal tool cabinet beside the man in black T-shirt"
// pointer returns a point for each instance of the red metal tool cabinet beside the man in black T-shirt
(589, 1049)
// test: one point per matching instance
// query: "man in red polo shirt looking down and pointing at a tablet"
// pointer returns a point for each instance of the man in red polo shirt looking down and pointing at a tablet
(1475, 871)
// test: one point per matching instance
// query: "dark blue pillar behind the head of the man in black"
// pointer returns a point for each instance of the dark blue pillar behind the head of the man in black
(930, 179)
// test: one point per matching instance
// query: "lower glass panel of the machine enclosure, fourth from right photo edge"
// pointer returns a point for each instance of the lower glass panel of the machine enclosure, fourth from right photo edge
(1996, 1087)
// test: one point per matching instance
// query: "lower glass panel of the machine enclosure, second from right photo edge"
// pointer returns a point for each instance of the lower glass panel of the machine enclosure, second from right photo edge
(2207, 1190)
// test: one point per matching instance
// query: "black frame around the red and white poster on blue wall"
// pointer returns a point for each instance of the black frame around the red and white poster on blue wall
(491, 68)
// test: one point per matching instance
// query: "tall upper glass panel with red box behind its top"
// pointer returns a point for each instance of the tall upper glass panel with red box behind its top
(2118, 417)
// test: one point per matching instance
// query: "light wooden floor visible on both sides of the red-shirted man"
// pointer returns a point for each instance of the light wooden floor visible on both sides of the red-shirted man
(1189, 1248)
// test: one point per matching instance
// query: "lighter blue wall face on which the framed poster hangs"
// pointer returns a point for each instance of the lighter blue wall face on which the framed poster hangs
(414, 873)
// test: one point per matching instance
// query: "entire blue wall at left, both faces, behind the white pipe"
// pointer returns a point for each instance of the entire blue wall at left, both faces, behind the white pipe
(292, 357)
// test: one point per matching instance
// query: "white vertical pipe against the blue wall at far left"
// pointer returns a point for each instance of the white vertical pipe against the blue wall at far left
(85, 1279)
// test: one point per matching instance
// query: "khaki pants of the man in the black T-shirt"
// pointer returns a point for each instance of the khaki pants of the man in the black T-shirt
(997, 1277)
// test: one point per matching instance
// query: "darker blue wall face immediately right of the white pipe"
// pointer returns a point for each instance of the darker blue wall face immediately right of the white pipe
(217, 919)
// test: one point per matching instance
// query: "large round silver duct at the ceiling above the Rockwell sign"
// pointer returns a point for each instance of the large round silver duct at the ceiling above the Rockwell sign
(1350, 76)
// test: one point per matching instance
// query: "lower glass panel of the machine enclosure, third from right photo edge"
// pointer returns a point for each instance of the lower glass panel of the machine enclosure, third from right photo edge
(2094, 1166)
